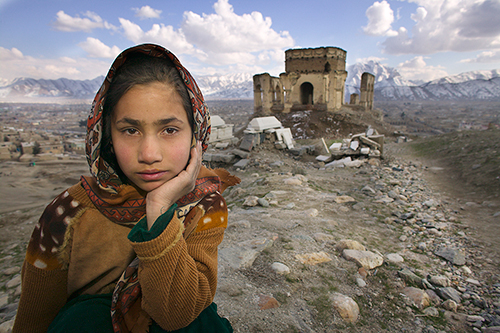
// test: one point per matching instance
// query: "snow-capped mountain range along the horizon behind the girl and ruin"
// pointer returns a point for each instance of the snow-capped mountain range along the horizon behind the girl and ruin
(389, 85)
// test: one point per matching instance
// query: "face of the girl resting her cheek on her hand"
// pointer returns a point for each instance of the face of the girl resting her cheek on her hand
(151, 135)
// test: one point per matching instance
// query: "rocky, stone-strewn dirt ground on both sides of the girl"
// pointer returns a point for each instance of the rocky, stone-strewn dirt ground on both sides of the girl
(385, 247)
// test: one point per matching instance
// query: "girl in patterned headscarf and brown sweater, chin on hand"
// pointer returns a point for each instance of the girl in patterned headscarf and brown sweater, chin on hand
(146, 132)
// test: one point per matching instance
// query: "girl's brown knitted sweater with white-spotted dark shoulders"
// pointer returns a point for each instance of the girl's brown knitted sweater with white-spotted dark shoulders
(76, 250)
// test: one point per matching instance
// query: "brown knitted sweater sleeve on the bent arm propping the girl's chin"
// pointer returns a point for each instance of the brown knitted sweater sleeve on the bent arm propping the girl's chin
(179, 276)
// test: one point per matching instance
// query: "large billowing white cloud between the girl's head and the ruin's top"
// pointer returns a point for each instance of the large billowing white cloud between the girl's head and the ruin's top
(225, 32)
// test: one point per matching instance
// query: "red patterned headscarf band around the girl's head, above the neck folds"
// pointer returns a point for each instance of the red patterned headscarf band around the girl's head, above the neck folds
(106, 177)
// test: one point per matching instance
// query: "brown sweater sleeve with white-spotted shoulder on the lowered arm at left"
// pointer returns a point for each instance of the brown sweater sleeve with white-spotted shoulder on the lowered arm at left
(44, 279)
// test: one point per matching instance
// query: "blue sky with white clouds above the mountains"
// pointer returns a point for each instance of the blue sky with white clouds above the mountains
(422, 39)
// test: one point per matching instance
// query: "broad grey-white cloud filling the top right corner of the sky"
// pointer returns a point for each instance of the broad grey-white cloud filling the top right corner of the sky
(444, 25)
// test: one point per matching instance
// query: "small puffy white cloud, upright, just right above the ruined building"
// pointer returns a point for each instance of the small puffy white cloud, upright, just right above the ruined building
(380, 18)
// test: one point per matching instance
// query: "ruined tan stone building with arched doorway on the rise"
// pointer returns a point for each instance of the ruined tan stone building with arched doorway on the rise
(314, 79)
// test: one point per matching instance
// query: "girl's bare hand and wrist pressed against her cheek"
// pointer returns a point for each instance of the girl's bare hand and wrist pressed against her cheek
(160, 199)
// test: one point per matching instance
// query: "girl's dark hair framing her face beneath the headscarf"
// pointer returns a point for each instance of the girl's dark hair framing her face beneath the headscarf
(139, 69)
